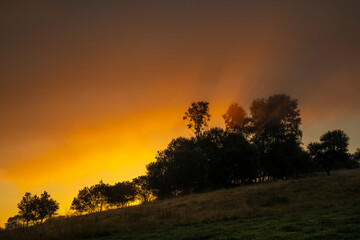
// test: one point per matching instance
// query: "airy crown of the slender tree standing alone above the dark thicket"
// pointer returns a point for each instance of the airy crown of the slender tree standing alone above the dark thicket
(197, 116)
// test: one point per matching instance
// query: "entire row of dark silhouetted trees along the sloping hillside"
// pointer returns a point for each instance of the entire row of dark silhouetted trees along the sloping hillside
(262, 145)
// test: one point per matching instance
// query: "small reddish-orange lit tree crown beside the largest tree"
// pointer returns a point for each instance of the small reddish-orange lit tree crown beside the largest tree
(235, 118)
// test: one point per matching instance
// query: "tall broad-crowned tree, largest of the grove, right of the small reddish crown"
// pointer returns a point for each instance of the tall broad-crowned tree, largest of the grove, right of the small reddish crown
(273, 122)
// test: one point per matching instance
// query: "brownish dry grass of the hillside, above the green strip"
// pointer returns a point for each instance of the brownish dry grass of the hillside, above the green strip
(277, 200)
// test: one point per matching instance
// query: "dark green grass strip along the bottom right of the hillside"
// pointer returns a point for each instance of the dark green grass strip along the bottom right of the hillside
(334, 223)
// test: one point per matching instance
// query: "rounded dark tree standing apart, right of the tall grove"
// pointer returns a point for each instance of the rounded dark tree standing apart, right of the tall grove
(331, 151)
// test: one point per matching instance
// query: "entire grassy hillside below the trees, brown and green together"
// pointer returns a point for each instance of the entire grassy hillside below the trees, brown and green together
(320, 207)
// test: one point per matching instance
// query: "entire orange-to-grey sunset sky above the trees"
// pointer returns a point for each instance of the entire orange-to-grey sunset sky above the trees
(91, 90)
